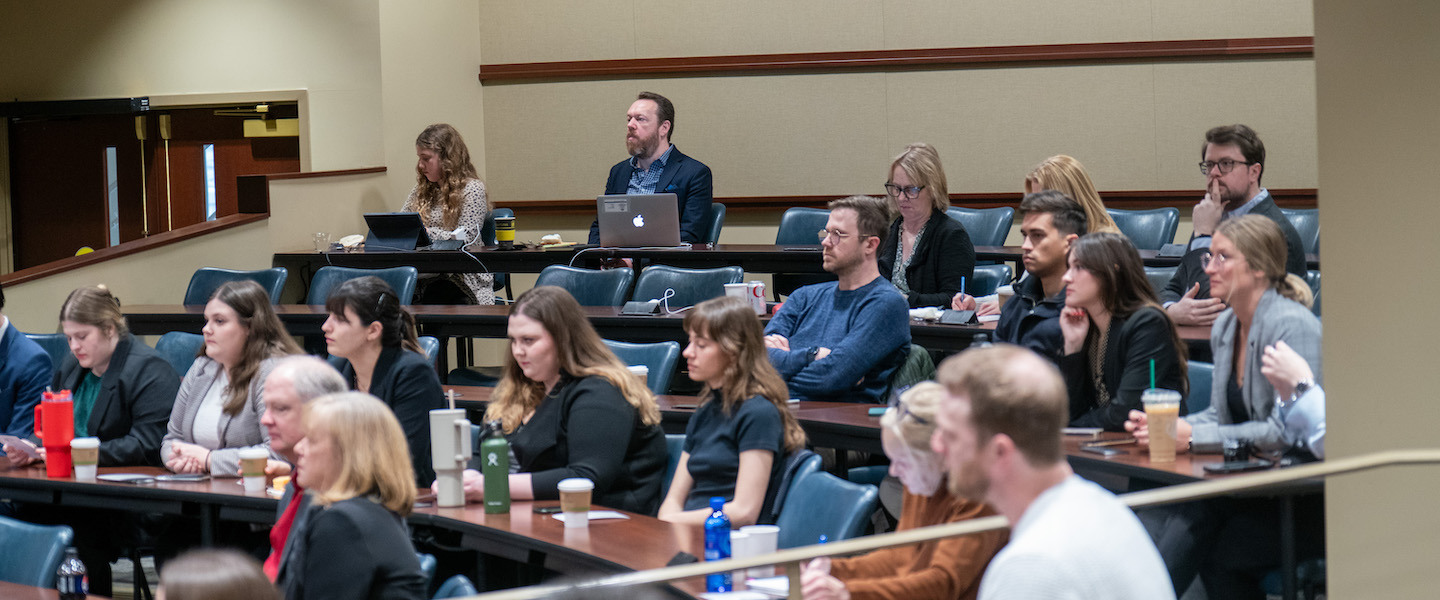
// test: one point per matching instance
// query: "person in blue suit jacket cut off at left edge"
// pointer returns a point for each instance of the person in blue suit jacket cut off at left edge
(25, 371)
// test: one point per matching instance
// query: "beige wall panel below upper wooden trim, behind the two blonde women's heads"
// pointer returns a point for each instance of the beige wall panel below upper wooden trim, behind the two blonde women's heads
(994, 126)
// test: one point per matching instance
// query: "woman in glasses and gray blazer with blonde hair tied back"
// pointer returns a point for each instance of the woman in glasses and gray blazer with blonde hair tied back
(1246, 270)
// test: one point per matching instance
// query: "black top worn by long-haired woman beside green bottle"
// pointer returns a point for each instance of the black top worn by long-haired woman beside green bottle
(587, 429)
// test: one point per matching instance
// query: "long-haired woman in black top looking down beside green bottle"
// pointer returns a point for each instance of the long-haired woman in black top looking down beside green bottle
(571, 409)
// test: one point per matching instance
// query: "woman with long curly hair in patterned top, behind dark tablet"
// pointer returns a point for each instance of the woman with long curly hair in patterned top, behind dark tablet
(450, 195)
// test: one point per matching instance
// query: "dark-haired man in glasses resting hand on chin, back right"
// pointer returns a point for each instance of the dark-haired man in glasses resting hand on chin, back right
(1233, 162)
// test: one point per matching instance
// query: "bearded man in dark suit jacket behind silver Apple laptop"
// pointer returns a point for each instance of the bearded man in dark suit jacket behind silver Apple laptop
(657, 168)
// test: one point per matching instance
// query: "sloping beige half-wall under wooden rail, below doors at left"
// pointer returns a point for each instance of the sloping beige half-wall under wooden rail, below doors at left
(155, 277)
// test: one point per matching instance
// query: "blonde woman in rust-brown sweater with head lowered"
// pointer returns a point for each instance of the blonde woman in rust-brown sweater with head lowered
(941, 571)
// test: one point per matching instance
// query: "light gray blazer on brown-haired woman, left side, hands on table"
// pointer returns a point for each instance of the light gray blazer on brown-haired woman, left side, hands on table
(237, 432)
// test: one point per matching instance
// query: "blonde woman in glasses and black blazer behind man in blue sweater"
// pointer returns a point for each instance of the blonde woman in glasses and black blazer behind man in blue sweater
(927, 254)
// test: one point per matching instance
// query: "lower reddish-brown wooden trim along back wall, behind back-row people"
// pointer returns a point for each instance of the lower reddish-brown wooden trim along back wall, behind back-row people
(1130, 199)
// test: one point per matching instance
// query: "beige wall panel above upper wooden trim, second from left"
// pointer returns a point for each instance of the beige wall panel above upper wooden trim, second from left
(758, 28)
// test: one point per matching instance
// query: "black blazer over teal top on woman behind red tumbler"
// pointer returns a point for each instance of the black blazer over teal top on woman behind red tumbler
(133, 408)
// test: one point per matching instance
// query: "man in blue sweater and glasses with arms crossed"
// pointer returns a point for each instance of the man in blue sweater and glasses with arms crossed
(842, 342)
